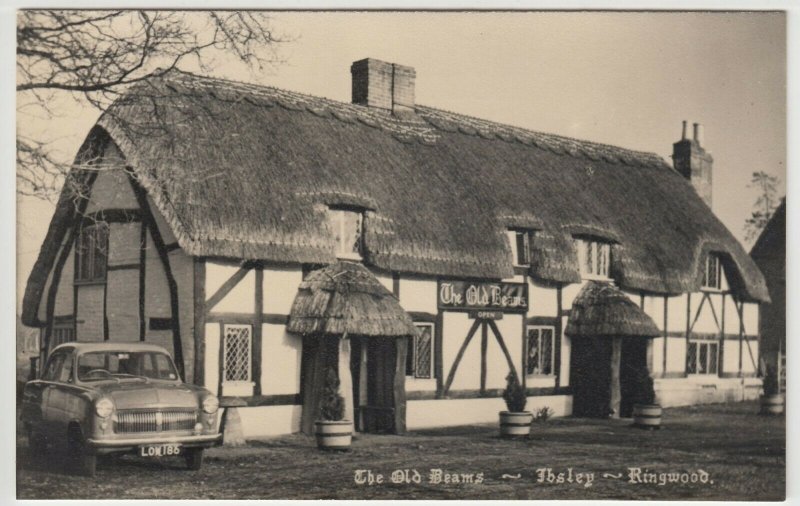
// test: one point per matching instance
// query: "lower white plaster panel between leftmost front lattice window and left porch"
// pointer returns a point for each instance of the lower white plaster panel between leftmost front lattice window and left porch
(280, 360)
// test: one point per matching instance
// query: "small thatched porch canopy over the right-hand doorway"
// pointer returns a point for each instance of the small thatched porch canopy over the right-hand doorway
(602, 310)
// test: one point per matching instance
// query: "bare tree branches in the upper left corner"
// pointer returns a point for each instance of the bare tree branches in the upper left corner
(94, 56)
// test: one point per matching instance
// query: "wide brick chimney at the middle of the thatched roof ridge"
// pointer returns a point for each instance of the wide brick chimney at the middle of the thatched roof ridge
(384, 85)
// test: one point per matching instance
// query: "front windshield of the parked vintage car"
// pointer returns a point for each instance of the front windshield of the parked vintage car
(100, 365)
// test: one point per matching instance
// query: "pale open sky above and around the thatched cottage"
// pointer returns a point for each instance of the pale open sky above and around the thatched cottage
(621, 78)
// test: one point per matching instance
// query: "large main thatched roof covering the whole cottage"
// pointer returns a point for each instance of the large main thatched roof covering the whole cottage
(245, 172)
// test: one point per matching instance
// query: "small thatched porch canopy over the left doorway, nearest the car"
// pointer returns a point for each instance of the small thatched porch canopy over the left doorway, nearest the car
(347, 299)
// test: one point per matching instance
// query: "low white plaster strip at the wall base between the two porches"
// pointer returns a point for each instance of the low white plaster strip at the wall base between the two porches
(428, 413)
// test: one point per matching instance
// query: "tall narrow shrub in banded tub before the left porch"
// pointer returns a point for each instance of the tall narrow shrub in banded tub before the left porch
(331, 430)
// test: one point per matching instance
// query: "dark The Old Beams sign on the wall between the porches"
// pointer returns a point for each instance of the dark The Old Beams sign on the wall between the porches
(483, 295)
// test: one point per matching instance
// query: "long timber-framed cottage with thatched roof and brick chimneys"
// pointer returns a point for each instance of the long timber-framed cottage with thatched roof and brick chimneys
(205, 203)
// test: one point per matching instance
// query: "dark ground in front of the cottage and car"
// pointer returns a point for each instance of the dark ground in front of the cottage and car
(742, 454)
